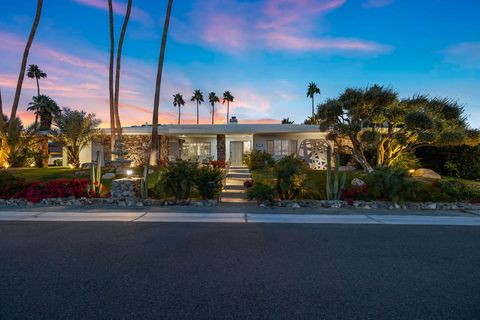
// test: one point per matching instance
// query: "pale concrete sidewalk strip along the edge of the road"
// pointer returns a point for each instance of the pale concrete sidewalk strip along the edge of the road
(138, 216)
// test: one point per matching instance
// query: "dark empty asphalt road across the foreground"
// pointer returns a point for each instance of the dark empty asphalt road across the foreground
(54, 270)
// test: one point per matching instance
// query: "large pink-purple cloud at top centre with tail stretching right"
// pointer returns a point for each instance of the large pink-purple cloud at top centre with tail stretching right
(276, 25)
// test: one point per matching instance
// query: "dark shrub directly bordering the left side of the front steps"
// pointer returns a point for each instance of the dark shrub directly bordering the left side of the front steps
(208, 181)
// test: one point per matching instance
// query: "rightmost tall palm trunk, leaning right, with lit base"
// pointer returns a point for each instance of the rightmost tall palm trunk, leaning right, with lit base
(154, 147)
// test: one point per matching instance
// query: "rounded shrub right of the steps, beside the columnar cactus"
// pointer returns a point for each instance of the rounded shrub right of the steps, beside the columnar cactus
(291, 174)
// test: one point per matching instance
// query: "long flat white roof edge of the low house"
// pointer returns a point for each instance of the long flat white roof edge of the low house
(206, 129)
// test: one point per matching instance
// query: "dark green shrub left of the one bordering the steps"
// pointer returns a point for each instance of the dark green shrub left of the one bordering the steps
(176, 179)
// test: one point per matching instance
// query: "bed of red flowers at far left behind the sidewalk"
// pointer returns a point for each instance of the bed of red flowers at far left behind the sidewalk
(62, 188)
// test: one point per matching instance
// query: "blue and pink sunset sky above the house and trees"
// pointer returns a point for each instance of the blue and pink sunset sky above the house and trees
(264, 52)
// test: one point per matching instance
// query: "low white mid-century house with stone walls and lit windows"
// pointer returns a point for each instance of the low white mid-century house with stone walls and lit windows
(229, 142)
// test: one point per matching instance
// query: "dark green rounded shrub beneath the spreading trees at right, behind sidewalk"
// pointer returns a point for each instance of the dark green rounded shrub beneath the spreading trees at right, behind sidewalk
(390, 184)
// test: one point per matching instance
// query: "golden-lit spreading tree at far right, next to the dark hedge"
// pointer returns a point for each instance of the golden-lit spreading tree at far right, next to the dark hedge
(416, 122)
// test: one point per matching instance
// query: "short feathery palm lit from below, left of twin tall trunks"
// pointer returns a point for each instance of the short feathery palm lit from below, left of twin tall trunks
(74, 131)
